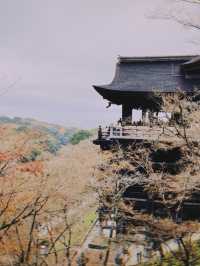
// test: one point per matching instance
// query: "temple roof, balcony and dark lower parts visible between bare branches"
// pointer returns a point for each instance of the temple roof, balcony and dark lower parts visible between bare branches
(139, 84)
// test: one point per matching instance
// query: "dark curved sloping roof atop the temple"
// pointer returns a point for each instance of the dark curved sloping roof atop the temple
(148, 74)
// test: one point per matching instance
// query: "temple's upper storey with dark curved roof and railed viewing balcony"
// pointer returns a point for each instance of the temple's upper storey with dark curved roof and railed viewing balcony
(138, 84)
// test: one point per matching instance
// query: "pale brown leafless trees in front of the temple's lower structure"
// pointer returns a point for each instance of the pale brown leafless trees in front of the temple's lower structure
(165, 191)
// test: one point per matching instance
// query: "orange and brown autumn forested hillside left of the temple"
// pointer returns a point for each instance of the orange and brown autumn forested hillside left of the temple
(46, 195)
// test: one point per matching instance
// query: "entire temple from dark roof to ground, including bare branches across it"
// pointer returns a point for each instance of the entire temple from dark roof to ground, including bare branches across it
(154, 175)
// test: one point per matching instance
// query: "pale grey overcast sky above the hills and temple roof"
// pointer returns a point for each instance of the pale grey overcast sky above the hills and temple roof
(52, 51)
